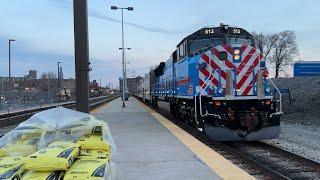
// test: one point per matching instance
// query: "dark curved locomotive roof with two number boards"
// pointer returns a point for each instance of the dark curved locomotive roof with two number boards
(214, 32)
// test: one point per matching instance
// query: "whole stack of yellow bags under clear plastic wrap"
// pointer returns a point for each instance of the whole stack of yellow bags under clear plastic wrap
(64, 152)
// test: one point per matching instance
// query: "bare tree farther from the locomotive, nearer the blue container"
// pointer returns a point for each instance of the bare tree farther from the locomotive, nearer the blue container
(284, 51)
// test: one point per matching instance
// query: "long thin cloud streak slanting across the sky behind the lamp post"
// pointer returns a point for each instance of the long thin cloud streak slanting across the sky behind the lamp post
(66, 4)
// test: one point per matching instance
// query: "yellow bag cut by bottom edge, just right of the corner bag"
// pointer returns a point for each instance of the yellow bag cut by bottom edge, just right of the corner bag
(38, 175)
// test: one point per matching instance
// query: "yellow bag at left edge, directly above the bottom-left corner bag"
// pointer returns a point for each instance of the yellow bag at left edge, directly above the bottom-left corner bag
(23, 147)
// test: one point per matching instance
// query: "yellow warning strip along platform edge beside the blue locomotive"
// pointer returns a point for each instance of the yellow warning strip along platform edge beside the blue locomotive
(224, 168)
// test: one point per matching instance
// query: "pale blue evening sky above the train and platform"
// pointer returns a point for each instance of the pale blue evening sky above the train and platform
(43, 30)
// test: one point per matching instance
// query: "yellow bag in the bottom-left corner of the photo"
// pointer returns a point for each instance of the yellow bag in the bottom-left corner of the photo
(11, 167)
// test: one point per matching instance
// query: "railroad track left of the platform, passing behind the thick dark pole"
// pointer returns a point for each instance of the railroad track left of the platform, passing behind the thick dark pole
(17, 117)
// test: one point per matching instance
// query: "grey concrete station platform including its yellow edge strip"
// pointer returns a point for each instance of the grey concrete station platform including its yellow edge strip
(149, 146)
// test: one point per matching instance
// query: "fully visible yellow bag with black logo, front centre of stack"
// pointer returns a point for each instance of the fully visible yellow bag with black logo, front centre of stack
(57, 156)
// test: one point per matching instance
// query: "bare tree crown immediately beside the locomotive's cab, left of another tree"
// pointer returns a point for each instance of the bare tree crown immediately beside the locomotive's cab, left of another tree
(265, 43)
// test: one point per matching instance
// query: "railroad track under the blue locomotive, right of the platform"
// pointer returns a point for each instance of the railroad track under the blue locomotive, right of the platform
(261, 160)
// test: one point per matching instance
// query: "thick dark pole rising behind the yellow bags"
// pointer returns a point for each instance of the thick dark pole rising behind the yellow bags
(81, 44)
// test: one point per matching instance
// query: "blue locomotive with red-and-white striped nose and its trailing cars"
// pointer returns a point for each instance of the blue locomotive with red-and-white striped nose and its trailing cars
(216, 80)
